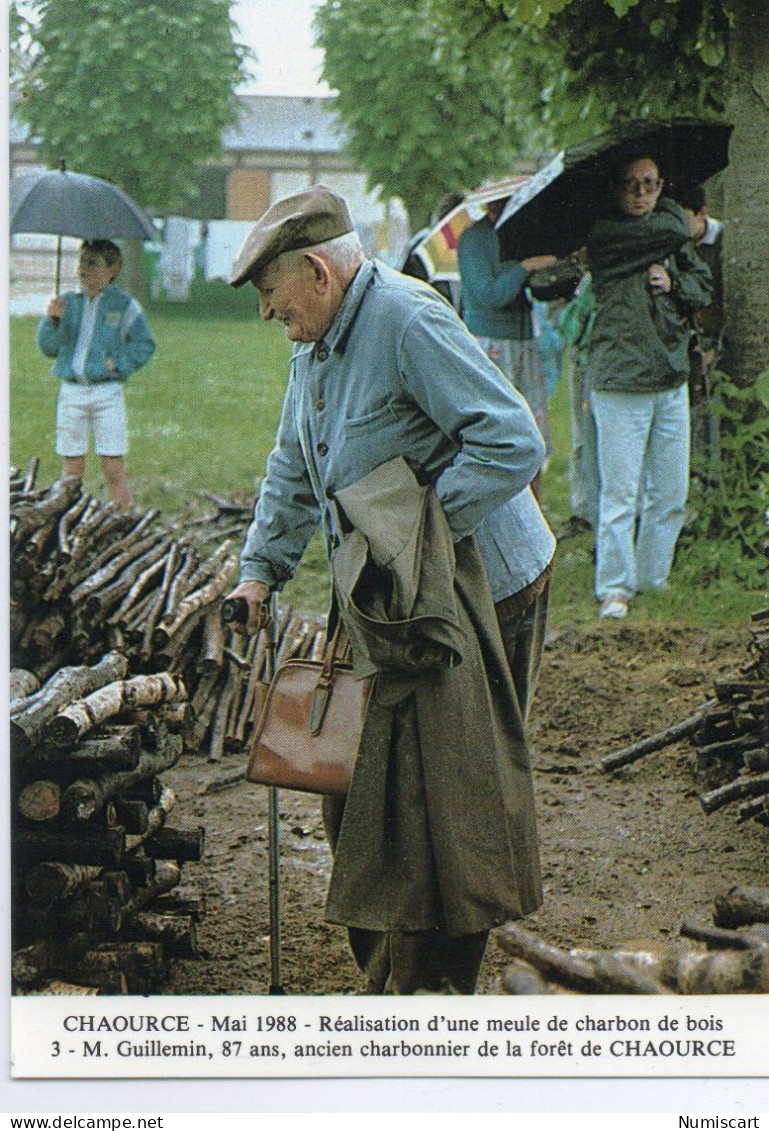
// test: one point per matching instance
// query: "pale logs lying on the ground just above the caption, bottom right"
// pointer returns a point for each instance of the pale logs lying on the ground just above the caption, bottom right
(703, 961)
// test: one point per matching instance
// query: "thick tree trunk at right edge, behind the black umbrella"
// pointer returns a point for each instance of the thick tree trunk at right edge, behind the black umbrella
(747, 238)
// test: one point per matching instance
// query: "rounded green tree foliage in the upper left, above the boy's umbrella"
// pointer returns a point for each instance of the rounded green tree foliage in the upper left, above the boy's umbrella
(136, 93)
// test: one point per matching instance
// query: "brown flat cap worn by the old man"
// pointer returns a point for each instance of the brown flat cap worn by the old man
(301, 221)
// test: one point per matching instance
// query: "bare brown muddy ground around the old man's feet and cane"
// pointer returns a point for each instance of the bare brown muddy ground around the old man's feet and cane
(626, 857)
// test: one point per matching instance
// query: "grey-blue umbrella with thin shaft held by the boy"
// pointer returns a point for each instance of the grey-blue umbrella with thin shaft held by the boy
(59, 203)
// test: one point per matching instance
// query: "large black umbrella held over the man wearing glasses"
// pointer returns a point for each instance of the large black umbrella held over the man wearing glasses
(555, 211)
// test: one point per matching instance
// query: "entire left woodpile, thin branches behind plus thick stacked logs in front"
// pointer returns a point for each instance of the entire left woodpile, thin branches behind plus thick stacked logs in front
(122, 666)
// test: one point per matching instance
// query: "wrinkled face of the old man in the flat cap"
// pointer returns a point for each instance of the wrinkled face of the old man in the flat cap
(295, 292)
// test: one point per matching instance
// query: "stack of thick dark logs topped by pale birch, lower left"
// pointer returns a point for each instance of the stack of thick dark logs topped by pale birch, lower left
(94, 862)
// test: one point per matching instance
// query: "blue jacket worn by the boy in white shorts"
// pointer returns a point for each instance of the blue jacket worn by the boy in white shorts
(120, 333)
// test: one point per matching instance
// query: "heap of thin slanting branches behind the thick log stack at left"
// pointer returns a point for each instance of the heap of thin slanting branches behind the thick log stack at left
(87, 580)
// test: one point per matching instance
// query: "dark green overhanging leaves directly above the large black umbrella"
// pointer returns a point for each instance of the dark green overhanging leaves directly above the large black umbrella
(617, 59)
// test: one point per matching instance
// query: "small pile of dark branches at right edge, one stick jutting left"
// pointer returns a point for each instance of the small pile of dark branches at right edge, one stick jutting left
(730, 733)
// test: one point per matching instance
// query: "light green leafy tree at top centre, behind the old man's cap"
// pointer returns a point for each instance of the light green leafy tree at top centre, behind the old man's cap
(426, 116)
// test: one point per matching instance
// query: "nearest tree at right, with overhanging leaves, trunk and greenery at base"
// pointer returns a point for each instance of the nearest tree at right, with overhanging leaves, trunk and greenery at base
(666, 58)
